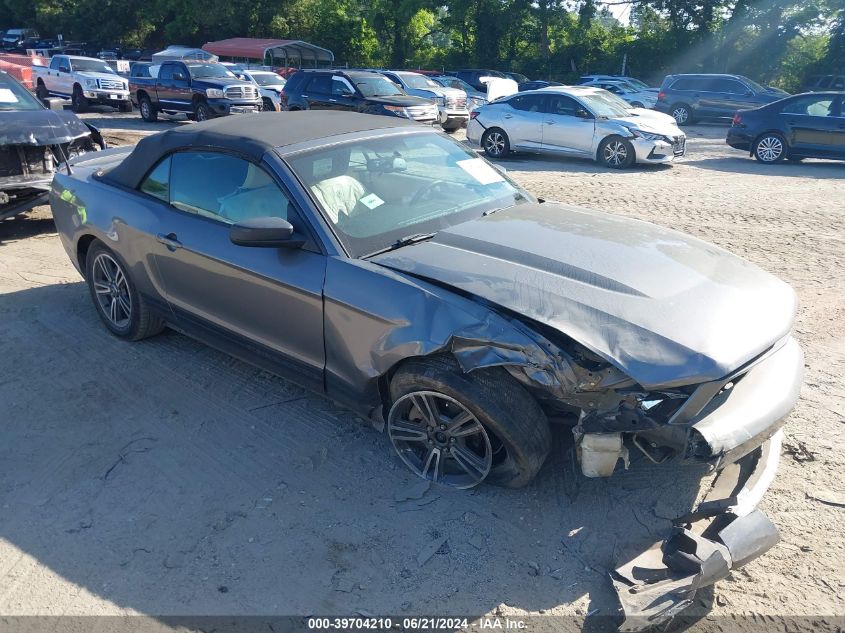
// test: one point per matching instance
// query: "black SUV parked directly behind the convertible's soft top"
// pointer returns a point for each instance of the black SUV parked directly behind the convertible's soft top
(354, 91)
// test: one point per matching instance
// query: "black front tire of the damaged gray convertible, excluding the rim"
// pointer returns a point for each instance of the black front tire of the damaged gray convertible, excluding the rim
(513, 420)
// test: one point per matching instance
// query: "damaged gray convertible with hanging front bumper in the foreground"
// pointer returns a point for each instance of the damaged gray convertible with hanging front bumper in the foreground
(392, 269)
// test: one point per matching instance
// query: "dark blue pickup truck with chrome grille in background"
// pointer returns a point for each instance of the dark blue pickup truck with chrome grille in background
(200, 89)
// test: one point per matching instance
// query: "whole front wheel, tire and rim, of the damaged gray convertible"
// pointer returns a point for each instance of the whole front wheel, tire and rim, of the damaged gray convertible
(461, 429)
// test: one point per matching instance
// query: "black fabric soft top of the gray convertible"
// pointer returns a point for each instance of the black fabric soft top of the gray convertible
(251, 135)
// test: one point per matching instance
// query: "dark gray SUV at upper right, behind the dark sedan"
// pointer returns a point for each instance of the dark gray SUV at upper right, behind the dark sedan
(689, 98)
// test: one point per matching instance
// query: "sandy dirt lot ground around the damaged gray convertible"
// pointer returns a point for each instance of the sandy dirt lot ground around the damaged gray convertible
(166, 478)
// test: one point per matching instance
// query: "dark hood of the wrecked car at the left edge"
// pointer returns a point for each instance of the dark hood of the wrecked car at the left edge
(40, 127)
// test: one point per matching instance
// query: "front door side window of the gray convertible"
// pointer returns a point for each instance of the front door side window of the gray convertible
(225, 188)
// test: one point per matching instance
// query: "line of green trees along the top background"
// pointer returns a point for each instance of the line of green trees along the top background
(777, 42)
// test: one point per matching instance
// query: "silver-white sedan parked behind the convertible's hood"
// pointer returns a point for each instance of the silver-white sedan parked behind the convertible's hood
(579, 121)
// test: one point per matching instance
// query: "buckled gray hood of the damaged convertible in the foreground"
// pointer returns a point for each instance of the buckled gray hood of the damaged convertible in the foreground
(665, 308)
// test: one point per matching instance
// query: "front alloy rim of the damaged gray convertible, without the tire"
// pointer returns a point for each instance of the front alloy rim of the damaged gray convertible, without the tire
(440, 439)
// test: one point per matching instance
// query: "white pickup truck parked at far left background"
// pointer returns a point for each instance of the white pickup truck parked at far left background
(83, 80)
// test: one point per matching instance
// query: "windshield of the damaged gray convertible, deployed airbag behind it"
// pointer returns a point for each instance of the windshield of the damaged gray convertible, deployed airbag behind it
(377, 191)
